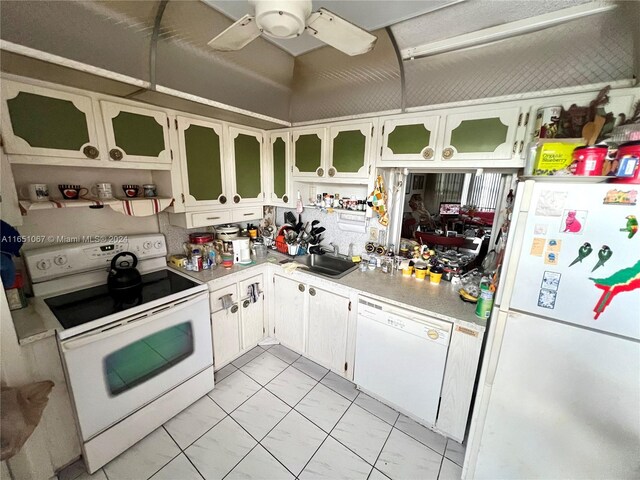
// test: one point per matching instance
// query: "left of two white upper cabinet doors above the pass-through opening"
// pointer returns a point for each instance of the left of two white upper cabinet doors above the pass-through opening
(409, 140)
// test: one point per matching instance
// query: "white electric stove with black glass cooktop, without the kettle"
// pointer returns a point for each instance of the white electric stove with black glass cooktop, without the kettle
(130, 365)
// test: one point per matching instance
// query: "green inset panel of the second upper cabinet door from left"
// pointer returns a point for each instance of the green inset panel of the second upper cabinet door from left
(139, 135)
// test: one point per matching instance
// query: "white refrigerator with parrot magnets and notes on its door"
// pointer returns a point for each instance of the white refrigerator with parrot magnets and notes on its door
(559, 391)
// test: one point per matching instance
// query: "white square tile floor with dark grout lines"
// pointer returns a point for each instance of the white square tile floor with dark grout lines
(277, 415)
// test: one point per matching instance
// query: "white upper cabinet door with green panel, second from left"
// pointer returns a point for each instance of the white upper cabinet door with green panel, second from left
(136, 134)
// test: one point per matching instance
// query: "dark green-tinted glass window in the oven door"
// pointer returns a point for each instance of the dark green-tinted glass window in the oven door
(148, 357)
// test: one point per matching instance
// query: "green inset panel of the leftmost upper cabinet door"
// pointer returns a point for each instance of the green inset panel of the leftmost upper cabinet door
(46, 122)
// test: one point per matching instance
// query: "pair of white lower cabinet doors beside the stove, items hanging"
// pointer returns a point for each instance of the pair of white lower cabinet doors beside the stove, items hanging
(239, 327)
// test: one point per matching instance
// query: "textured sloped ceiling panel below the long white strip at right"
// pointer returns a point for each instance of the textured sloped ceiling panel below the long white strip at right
(596, 49)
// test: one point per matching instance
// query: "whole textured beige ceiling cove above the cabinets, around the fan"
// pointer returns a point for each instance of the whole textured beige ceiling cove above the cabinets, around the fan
(323, 83)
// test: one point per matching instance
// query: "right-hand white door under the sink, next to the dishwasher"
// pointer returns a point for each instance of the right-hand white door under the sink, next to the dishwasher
(327, 328)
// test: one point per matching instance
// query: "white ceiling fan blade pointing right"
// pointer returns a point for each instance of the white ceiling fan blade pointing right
(337, 32)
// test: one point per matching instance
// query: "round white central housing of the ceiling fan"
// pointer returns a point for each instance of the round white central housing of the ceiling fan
(280, 18)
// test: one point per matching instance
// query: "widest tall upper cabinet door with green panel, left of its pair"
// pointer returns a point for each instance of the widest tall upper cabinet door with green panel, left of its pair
(204, 173)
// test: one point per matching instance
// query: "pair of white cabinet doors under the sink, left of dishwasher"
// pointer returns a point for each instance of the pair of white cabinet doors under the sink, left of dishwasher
(312, 321)
